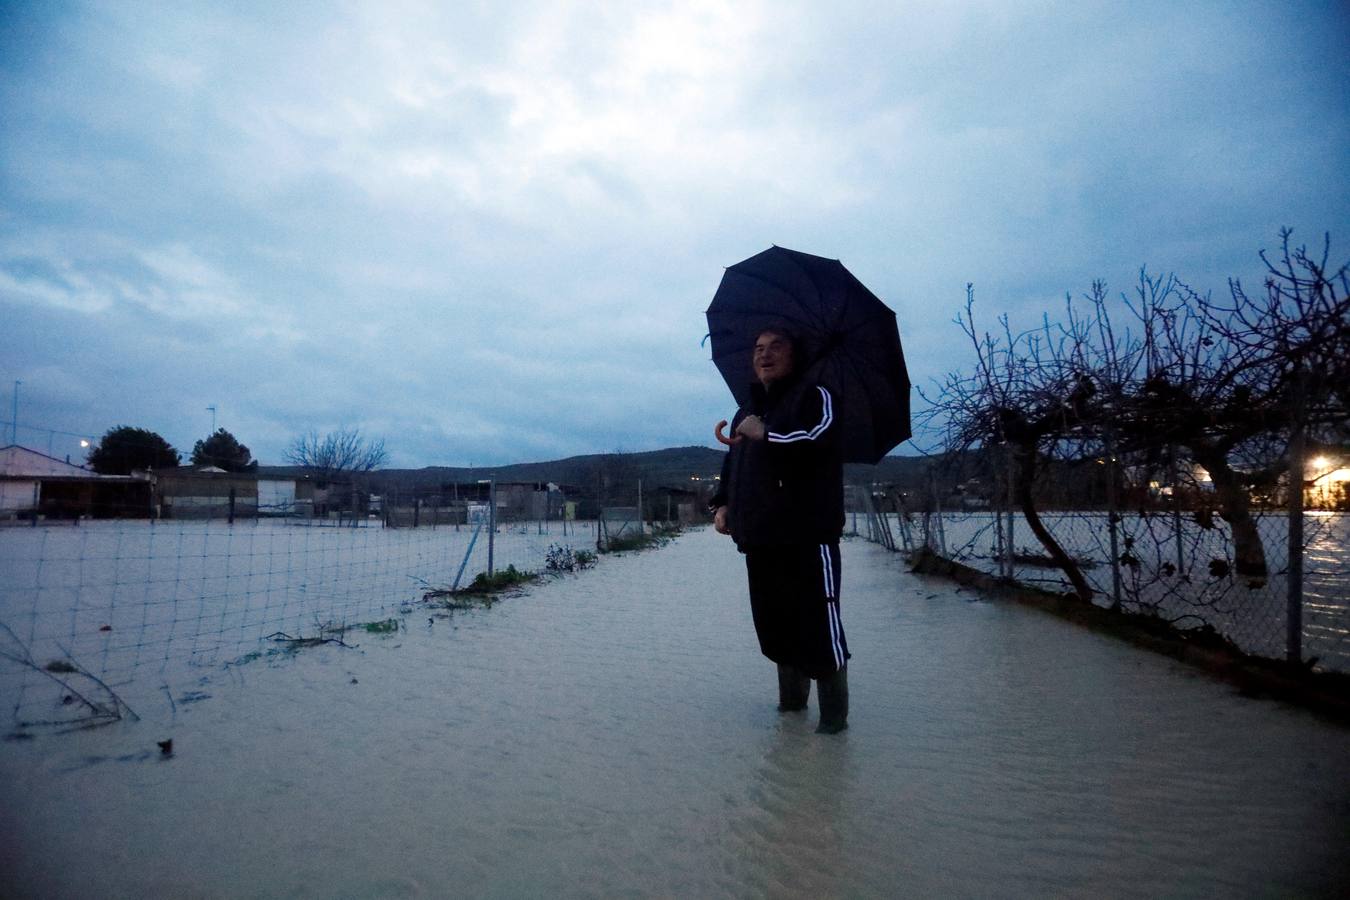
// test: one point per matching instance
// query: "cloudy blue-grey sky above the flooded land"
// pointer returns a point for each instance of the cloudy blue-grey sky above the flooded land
(488, 231)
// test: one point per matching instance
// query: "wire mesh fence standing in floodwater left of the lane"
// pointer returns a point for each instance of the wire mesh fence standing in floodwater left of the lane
(103, 617)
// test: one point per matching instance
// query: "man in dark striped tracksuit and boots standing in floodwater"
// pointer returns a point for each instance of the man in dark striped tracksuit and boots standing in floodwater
(782, 501)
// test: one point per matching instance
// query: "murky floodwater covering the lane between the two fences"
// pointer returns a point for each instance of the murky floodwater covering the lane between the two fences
(615, 735)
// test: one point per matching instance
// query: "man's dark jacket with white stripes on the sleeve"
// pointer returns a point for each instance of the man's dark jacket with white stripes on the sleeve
(788, 489)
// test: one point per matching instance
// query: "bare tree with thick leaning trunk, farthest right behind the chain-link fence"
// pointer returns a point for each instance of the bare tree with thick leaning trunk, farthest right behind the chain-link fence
(1232, 381)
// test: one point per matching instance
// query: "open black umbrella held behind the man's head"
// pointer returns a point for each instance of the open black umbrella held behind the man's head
(853, 343)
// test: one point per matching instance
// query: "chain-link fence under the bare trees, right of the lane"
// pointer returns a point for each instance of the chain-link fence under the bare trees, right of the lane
(1171, 563)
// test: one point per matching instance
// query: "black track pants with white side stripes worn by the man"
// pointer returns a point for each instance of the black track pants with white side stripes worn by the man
(796, 604)
